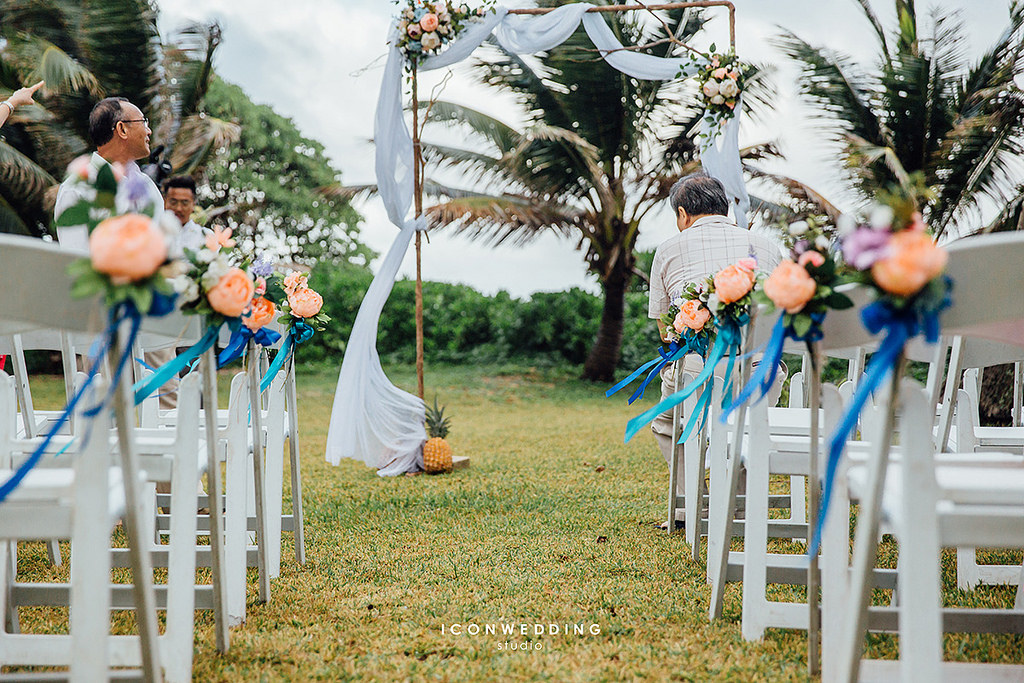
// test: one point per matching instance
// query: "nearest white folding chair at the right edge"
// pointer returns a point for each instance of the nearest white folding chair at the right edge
(911, 500)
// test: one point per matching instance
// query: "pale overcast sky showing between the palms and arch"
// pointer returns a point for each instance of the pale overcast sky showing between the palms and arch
(321, 63)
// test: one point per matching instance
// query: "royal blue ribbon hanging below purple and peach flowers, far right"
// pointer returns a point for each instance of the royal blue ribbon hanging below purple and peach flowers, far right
(901, 325)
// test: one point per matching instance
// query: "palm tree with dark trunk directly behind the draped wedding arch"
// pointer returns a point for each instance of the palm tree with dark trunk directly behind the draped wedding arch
(600, 151)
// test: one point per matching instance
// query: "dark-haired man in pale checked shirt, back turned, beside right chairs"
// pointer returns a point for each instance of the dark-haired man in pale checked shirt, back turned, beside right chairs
(708, 242)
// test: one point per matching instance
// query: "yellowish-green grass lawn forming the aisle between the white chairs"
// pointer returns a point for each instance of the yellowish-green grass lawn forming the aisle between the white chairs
(550, 525)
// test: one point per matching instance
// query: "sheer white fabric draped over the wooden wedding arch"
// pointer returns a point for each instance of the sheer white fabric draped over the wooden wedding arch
(372, 420)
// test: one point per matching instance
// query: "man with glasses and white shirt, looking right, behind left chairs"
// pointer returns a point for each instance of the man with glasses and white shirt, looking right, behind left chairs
(121, 135)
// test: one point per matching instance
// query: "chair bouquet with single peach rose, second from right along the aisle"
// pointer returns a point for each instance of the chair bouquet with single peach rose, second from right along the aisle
(804, 285)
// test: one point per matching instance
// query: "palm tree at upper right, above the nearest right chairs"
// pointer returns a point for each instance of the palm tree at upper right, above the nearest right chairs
(924, 109)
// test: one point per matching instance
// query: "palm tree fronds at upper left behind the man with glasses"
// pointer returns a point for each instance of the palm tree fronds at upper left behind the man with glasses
(87, 52)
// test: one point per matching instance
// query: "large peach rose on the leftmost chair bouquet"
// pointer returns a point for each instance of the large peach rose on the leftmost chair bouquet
(127, 248)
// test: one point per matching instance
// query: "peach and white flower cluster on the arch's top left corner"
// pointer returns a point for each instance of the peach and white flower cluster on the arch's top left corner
(425, 27)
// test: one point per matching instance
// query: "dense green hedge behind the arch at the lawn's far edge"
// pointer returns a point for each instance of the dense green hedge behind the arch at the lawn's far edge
(463, 326)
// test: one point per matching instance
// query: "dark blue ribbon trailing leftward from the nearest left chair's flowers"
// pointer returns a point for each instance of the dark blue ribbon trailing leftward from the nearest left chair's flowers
(120, 313)
